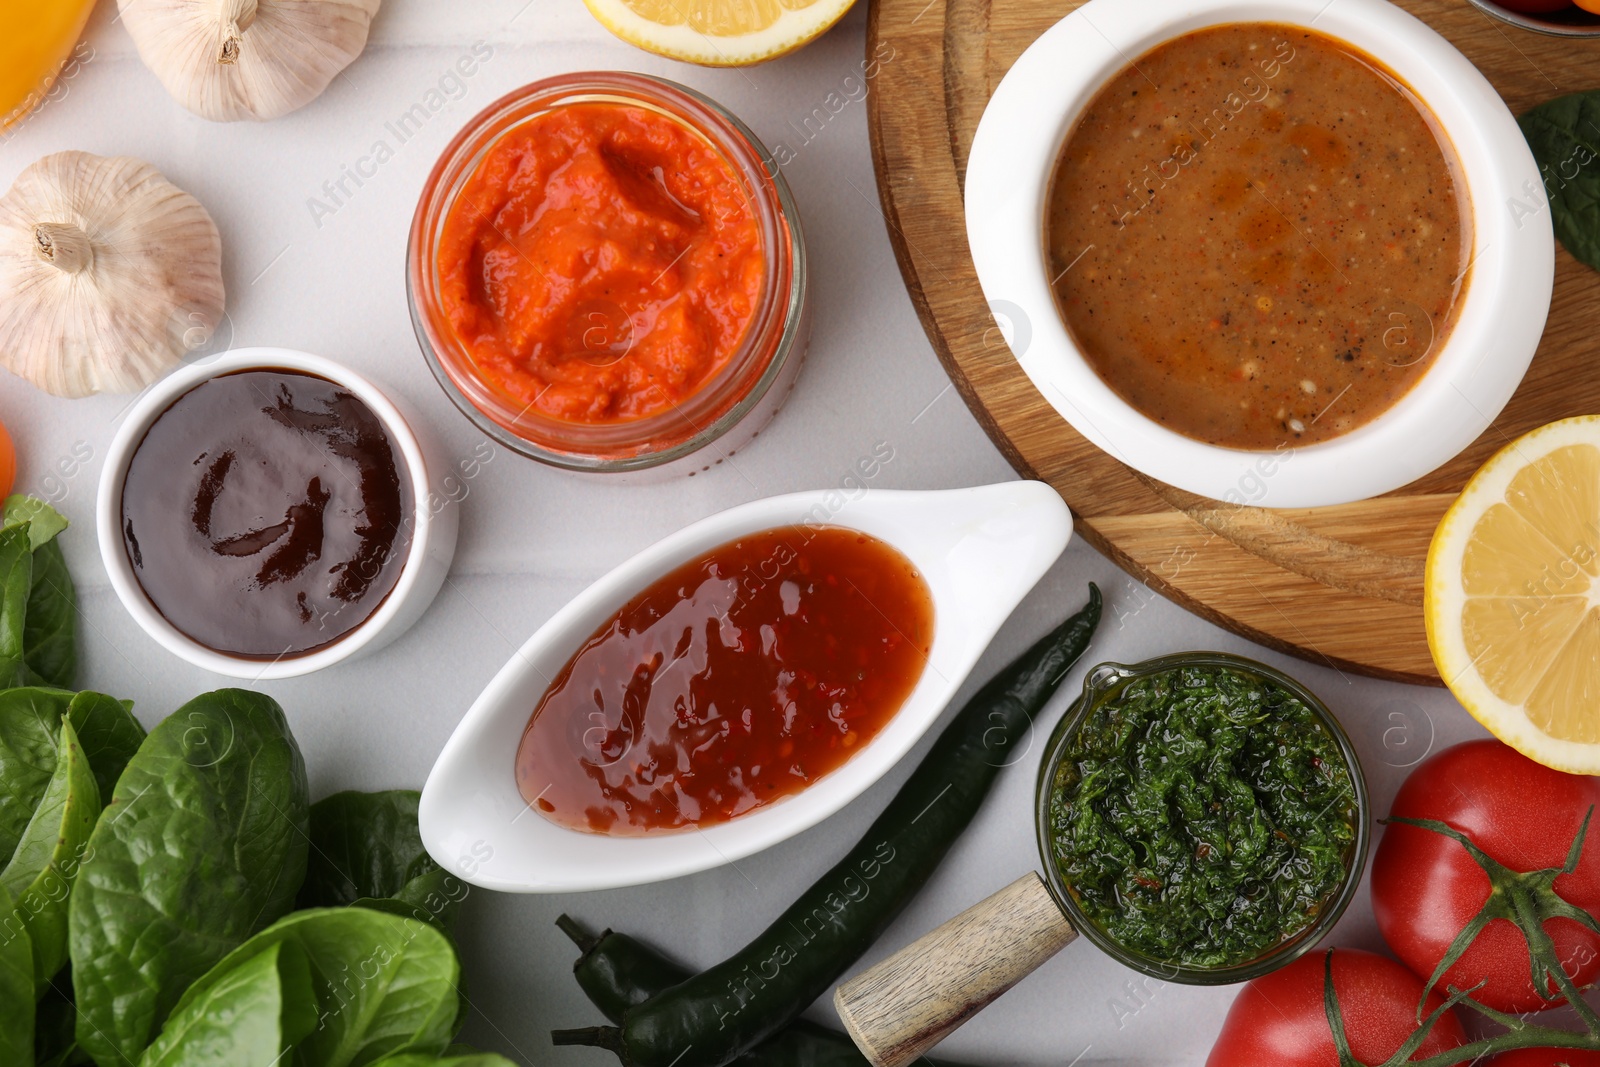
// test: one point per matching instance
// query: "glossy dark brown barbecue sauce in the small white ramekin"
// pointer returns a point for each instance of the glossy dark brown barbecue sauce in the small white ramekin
(268, 514)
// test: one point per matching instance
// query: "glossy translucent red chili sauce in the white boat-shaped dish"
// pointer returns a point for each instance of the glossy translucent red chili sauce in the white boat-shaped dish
(735, 681)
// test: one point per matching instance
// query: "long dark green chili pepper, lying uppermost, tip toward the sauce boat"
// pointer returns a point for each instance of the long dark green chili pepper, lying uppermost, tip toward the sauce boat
(722, 1013)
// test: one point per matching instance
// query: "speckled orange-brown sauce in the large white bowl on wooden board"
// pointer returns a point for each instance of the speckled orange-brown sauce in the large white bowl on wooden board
(1258, 236)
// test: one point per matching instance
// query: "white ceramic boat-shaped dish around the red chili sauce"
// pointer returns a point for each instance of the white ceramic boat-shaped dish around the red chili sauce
(980, 551)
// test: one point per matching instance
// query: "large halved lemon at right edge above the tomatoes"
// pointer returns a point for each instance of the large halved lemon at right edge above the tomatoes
(1513, 596)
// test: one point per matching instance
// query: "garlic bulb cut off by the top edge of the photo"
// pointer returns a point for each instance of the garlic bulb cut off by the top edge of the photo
(233, 60)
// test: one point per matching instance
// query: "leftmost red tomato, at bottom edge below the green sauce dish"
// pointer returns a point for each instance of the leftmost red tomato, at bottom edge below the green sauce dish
(1279, 1020)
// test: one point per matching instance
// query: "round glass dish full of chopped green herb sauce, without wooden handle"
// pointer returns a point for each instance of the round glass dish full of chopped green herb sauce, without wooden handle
(1202, 817)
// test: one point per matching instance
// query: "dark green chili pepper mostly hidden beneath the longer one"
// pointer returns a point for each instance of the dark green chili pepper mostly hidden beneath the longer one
(618, 972)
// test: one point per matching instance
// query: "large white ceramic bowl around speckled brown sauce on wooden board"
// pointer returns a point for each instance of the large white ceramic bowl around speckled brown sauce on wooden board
(1474, 374)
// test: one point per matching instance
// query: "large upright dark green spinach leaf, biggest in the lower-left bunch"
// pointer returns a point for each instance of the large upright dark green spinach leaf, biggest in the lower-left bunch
(202, 845)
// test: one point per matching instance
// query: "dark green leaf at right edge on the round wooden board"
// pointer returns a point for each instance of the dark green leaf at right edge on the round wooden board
(1566, 140)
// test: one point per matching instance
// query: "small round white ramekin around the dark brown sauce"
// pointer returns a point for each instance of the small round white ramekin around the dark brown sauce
(433, 535)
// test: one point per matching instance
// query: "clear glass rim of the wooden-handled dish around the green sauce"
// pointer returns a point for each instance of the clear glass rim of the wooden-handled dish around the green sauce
(1098, 681)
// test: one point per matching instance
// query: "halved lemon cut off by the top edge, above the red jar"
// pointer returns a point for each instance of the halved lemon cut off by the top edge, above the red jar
(719, 33)
